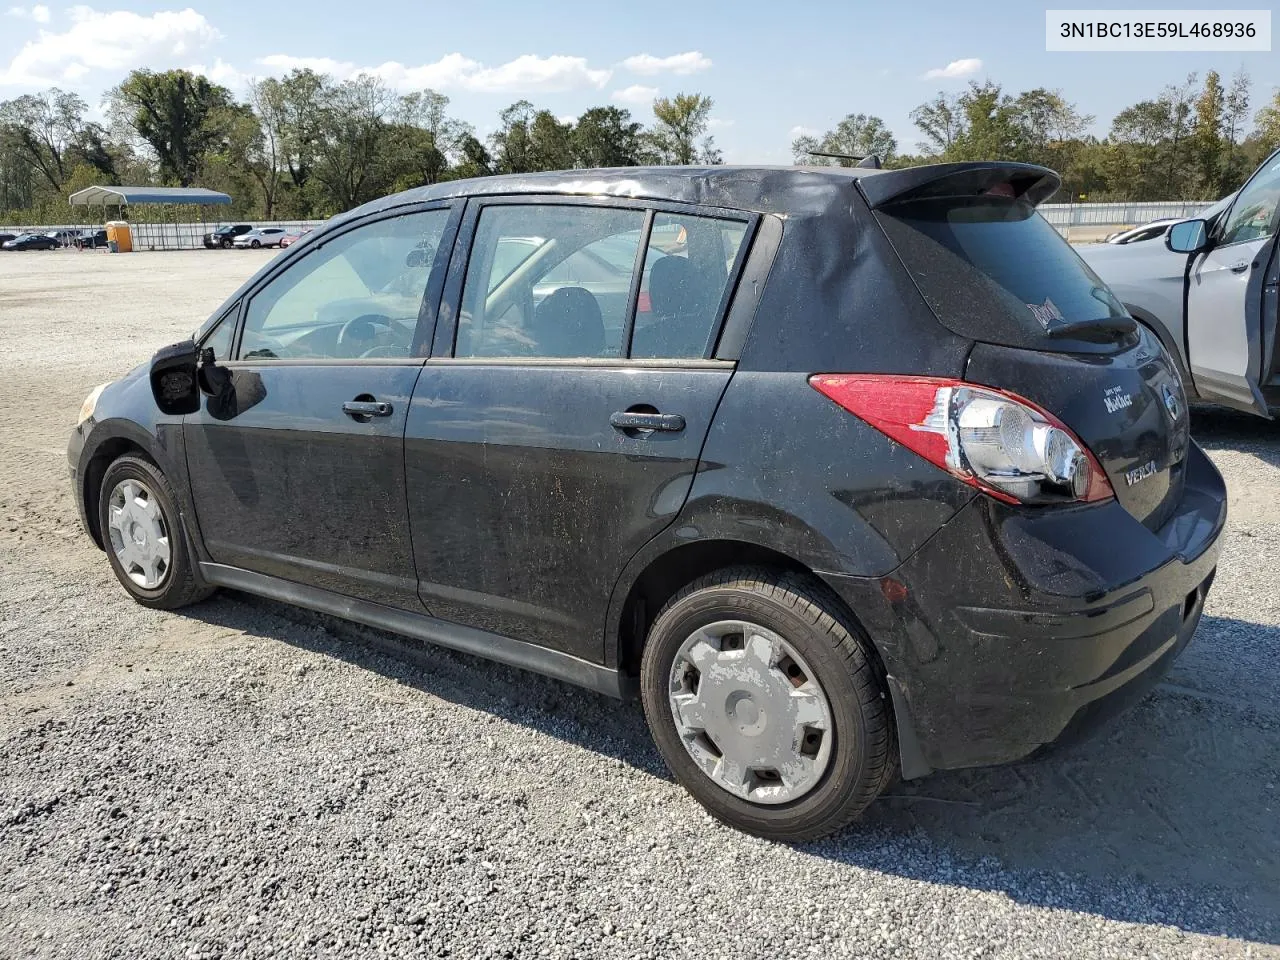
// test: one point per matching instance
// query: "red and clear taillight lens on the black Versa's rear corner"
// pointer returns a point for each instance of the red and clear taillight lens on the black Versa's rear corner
(1000, 444)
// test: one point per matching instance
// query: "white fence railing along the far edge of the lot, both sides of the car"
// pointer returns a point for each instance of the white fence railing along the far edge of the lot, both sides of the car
(190, 236)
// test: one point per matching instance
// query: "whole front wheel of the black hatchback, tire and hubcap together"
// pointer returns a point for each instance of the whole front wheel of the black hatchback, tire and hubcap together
(143, 537)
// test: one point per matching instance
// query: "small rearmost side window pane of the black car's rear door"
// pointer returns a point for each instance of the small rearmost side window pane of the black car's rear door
(687, 272)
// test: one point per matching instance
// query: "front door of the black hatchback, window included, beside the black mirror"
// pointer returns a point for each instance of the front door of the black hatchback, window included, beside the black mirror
(298, 465)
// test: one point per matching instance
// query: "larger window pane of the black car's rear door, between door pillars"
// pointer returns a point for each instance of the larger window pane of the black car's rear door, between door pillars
(528, 292)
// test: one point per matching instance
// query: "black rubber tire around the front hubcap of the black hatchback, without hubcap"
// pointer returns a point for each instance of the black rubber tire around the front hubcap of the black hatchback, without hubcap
(180, 586)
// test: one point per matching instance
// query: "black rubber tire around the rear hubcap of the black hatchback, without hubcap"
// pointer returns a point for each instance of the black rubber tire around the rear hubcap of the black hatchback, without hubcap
(865, 756)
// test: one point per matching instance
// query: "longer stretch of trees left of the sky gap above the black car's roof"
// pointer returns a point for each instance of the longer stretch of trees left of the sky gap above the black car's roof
(307, 147)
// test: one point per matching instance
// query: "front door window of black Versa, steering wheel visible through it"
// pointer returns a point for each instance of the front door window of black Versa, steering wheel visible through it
(355, 296)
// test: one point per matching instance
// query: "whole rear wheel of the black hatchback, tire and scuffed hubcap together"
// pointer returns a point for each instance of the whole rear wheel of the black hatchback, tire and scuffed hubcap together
(766, 705)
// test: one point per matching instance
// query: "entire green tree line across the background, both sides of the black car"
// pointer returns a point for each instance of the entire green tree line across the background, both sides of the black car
(308, 147)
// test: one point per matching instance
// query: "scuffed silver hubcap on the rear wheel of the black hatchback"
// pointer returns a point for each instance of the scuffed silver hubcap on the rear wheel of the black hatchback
(751, 712)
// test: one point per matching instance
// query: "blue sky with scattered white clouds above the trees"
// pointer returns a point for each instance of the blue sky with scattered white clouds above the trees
(775, 70)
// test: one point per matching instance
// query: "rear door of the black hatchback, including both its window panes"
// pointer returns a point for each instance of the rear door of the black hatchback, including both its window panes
(556, 428)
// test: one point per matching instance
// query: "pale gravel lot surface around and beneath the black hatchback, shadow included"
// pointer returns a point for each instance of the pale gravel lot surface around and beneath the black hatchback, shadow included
(250, 780)
